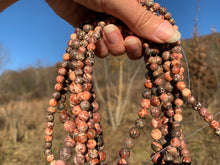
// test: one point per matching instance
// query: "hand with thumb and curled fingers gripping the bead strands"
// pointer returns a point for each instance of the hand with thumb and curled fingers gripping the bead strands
(140, 21)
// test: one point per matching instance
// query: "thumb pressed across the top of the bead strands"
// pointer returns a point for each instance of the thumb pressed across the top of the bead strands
(137, 18)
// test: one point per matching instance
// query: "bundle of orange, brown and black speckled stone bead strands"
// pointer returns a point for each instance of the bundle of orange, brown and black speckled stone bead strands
(163, 97)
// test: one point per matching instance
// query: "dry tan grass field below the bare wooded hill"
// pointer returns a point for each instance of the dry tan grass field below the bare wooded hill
(30, 116)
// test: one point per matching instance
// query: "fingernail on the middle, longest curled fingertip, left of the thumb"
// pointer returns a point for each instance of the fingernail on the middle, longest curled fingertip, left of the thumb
(111, 34)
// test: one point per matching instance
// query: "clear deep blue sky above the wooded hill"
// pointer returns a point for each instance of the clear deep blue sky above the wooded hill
(32, 34)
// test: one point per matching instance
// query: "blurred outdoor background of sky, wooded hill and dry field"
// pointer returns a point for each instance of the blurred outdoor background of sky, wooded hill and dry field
(32, 41)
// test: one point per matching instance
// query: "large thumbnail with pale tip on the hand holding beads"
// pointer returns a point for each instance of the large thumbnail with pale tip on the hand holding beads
(166, 32)
